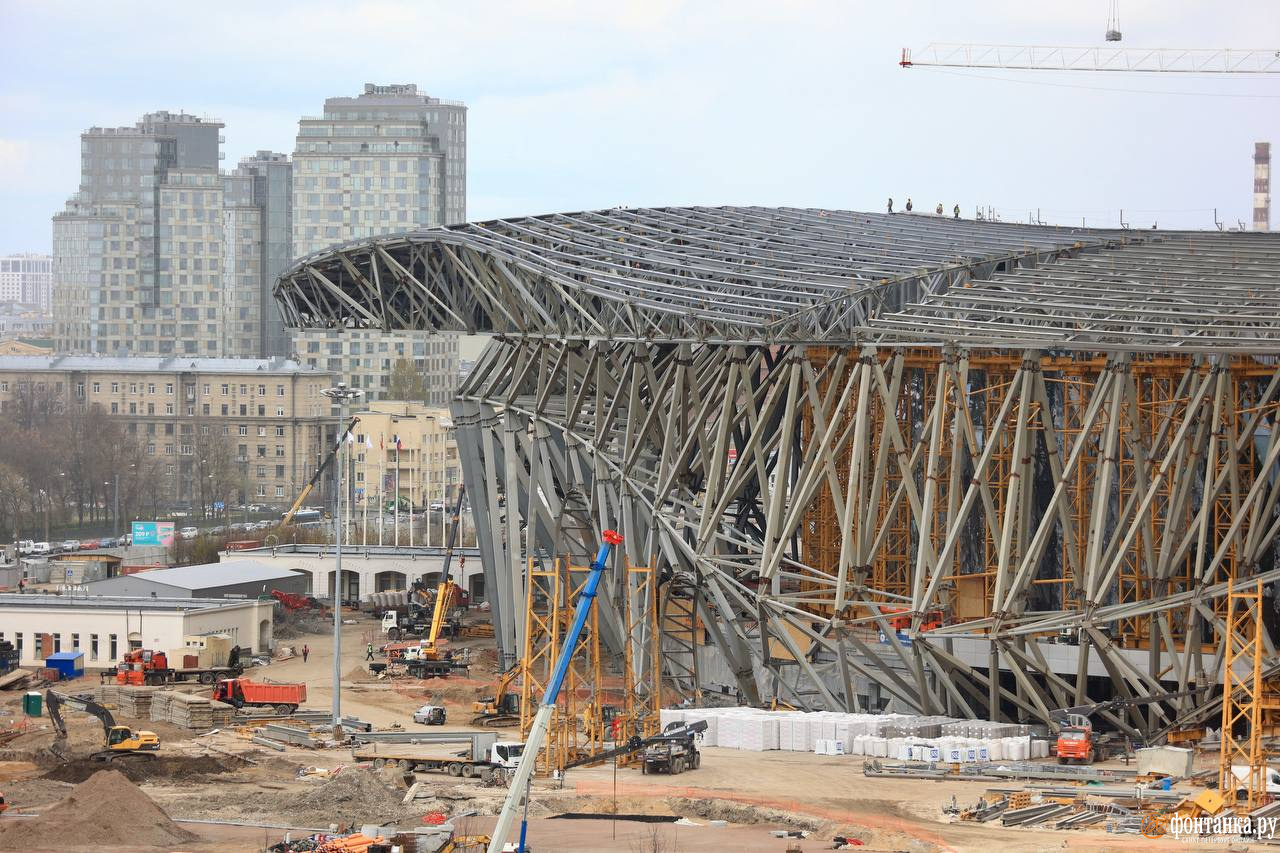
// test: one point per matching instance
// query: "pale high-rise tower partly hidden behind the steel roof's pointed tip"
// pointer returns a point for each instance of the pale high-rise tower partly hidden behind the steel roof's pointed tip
(387, 161)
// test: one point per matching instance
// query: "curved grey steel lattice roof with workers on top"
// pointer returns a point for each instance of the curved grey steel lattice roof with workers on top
(780, 275)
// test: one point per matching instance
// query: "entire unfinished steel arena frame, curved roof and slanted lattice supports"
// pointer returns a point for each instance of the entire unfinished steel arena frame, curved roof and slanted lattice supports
(874, 458)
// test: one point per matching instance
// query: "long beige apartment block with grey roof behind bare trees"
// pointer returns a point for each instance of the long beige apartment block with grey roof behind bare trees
(222, 430)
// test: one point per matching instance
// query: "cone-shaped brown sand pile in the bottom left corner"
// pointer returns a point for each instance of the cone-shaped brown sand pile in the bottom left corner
(104, 810)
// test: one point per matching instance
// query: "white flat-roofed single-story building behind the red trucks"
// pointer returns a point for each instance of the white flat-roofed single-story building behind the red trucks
(106, 628)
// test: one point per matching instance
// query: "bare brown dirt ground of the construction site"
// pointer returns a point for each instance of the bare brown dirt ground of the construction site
(226, 777)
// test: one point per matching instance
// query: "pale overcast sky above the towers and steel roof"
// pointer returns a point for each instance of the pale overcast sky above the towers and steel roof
(580, 104)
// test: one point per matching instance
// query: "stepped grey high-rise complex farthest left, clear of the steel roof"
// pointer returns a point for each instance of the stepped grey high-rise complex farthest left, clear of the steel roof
(159, 253)
